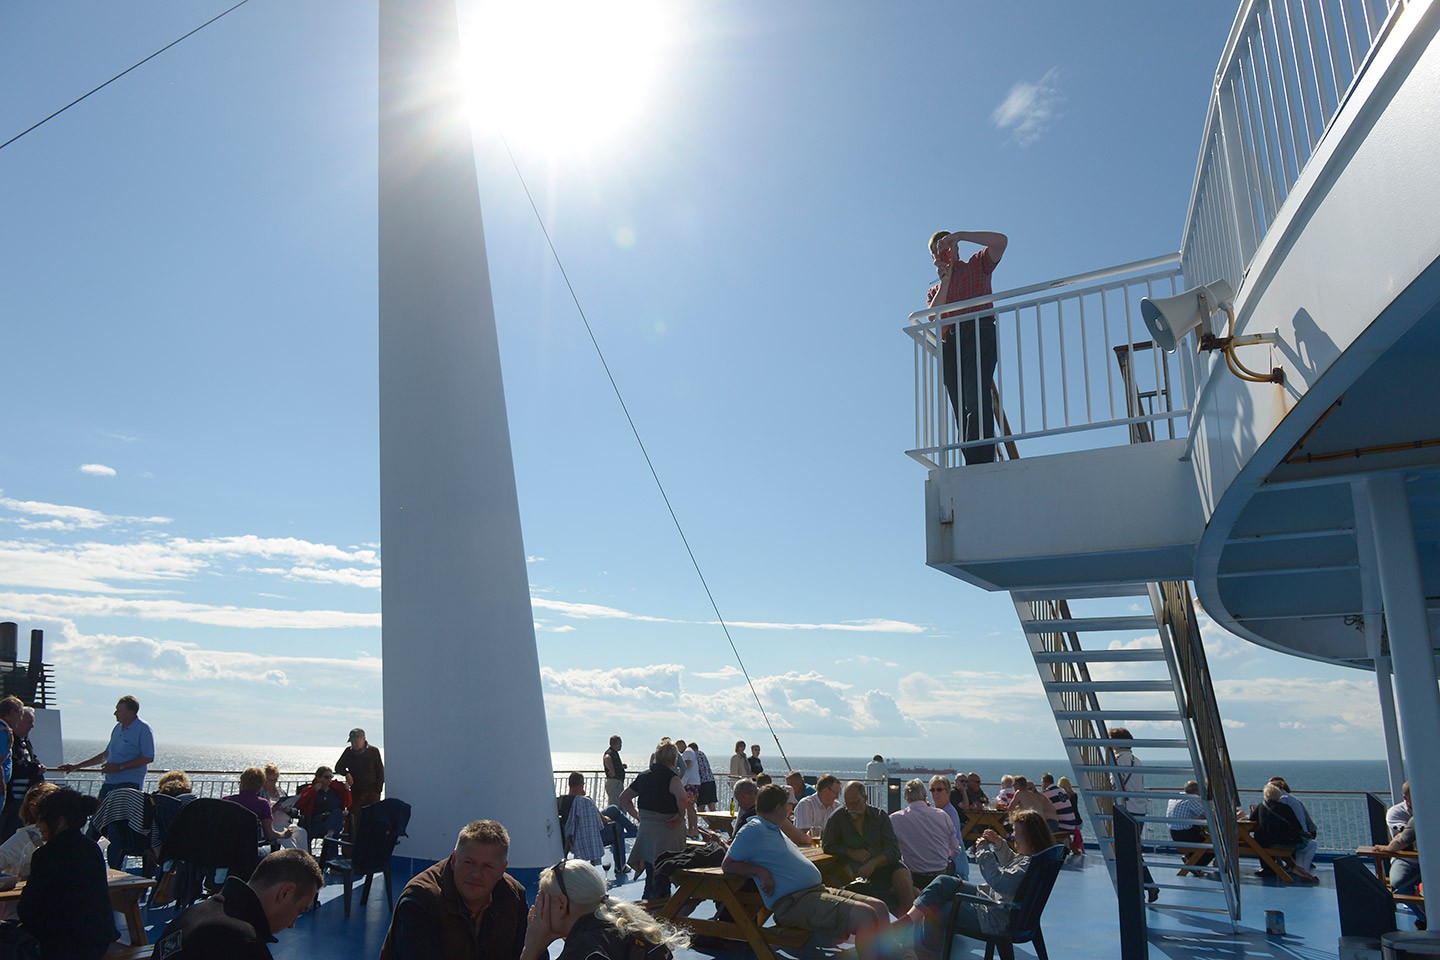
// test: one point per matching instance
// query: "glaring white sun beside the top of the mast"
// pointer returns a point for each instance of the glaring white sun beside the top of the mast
(564, 76)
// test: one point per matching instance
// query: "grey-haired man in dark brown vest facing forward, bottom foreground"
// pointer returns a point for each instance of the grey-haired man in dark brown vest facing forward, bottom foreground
(464, 907)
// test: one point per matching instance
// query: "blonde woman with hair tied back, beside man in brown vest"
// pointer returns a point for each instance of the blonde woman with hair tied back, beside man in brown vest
(572, 906)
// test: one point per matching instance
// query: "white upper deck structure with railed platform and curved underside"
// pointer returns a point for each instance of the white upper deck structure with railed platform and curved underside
(1305, 513)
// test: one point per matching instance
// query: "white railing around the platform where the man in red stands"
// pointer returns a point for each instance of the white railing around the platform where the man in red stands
(1074, 355)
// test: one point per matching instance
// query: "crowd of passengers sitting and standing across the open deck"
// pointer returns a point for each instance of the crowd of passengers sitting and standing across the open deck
(891, 877)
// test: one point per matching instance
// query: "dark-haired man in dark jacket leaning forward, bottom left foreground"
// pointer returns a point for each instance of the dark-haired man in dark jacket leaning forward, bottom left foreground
(244, 918)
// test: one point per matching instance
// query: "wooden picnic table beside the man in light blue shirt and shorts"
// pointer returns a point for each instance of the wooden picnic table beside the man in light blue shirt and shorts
(742, 899)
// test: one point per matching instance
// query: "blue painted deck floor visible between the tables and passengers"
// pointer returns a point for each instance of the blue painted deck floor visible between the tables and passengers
(1081, 922)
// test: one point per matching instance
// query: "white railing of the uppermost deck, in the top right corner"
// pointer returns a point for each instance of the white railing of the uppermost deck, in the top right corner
(1284, 76)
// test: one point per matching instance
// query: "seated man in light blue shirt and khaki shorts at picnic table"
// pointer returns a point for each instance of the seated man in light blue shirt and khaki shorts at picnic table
(790, 884)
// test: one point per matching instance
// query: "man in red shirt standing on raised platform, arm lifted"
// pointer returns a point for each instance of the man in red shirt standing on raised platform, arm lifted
(968, 349)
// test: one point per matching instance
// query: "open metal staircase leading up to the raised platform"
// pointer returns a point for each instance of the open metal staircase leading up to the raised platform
(1105, 670)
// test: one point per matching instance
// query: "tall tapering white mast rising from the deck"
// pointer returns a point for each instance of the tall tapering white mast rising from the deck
(464, 719)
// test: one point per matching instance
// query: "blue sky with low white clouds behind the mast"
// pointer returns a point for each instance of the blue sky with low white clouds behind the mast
(189, 494)
